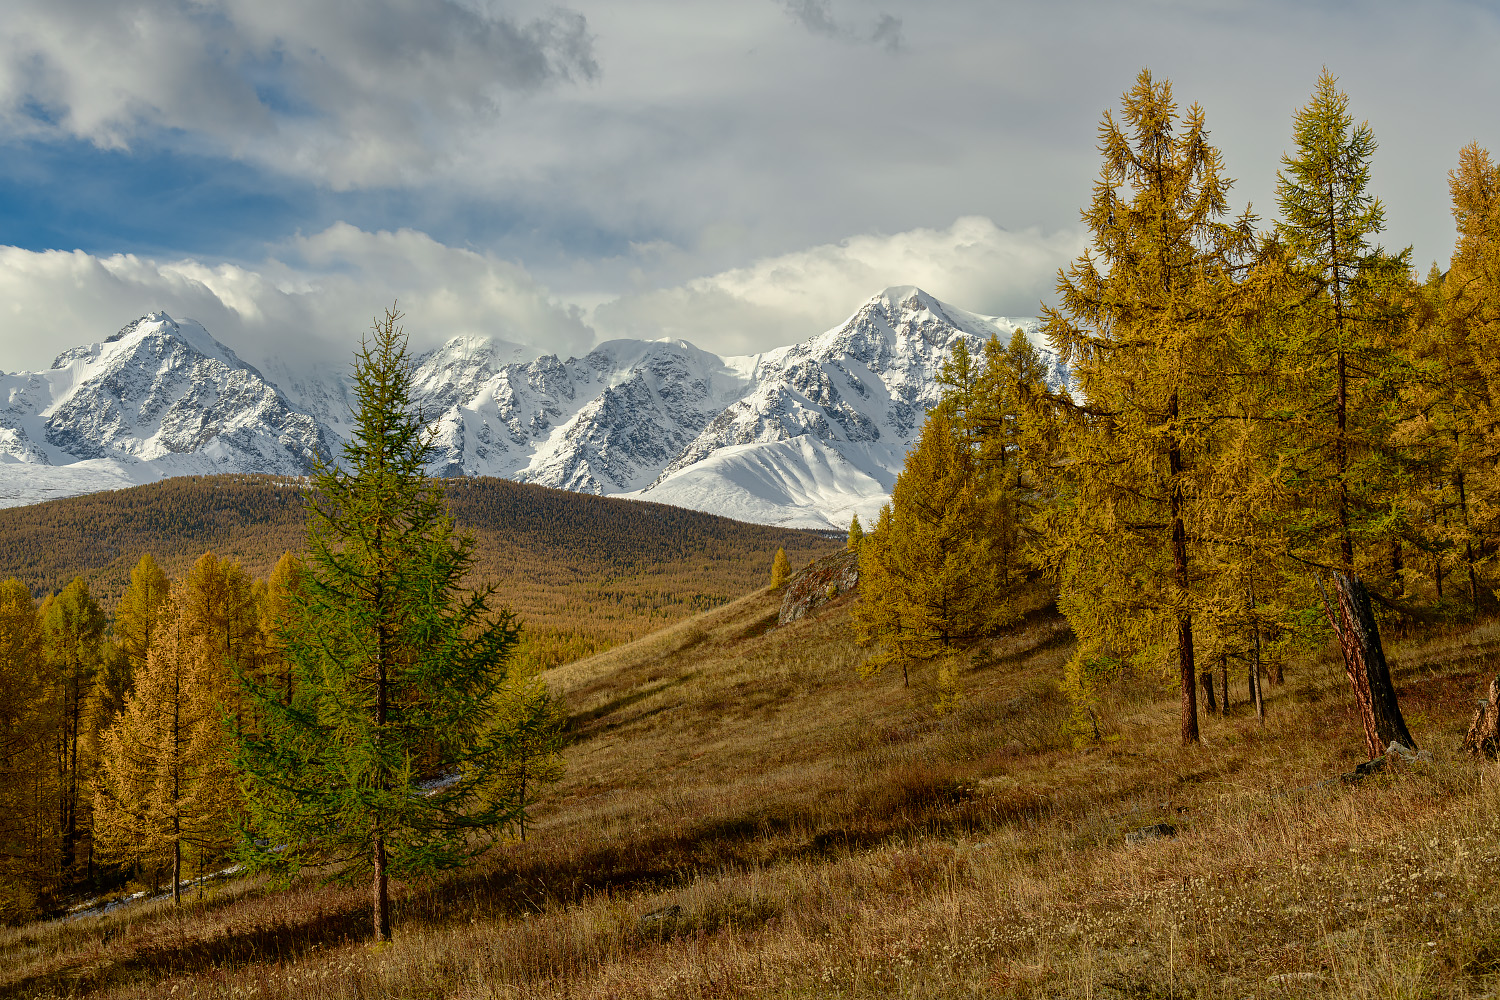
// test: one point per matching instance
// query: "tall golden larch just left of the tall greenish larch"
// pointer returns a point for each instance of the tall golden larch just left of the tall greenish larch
(1145, 320)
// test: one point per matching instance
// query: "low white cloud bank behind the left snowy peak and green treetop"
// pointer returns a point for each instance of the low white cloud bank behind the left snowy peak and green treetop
(305, 305)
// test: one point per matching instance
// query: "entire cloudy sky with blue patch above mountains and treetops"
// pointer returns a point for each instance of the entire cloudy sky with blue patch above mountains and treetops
(740, 175)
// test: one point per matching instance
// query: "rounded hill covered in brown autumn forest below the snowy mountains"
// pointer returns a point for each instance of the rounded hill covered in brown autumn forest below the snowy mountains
(592, 567)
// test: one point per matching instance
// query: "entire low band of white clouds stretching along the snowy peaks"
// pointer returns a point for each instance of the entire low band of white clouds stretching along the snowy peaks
(314, 296)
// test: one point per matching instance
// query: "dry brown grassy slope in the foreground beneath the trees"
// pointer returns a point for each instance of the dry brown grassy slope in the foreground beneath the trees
(820, 836)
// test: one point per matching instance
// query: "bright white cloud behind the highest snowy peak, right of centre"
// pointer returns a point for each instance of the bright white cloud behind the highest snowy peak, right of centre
(973, 265)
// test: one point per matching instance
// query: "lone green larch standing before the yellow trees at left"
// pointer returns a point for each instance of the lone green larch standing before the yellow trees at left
(397, 672)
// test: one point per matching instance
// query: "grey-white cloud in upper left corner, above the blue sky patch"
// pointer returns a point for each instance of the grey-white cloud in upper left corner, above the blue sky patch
(352, 92)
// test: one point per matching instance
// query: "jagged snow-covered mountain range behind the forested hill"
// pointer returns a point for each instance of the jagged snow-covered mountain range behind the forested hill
(803, 436)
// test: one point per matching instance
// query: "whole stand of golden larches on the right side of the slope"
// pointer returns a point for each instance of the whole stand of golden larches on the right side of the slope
(1253, 407)
